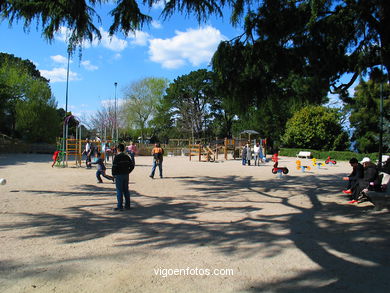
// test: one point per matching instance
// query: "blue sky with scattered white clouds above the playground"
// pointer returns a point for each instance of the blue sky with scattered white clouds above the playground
(165, 49)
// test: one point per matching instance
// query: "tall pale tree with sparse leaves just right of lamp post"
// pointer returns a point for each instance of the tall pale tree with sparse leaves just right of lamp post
(141, 100)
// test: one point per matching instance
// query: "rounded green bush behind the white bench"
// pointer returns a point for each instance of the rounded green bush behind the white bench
(315, 127)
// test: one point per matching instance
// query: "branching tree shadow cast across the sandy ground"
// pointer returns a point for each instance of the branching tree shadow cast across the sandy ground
(351, 257)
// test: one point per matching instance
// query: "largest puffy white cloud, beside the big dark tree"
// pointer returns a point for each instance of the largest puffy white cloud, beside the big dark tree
(195, 46)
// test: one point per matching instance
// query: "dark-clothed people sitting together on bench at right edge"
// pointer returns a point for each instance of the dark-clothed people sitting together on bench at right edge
(364, 176)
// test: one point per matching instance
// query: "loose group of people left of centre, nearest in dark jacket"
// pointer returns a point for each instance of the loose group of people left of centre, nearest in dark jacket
(122, 165)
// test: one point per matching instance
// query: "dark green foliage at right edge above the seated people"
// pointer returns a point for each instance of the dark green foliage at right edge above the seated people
(364, 116)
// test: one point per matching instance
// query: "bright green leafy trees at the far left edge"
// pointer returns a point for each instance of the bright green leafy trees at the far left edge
(27, 109)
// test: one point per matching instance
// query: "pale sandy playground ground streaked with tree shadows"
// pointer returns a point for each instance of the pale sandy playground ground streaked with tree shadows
(258, 232)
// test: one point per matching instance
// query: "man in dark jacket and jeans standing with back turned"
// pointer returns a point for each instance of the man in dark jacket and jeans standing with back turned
(121, 168)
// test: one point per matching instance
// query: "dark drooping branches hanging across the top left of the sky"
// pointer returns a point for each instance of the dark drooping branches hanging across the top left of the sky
(82, 20)
